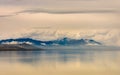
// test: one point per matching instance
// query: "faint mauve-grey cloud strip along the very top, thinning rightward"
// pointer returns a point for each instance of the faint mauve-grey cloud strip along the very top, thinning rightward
(37, 2)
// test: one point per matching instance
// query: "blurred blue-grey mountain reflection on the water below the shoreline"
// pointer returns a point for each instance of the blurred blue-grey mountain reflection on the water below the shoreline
(63, 56)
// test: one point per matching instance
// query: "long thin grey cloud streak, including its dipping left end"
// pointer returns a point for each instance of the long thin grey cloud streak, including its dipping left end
(49, 11)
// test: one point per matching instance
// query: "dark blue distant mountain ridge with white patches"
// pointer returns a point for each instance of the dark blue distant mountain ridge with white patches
(63, 42)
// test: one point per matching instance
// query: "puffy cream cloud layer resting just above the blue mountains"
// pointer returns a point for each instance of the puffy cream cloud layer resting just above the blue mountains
(105, 36)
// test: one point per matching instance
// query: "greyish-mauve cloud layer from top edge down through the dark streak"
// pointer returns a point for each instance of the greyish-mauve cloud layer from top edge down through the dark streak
(62, 6)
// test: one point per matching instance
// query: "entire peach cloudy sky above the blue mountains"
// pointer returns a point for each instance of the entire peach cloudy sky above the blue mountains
(88, 17)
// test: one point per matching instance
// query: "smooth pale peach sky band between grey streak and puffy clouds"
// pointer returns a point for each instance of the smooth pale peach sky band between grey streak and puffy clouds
(60, 21)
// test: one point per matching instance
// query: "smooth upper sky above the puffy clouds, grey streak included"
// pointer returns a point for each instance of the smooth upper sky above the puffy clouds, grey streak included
(59, 14)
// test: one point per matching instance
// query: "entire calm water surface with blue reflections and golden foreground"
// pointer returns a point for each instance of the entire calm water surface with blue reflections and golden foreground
(60, 62)
